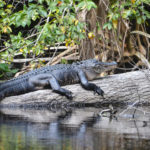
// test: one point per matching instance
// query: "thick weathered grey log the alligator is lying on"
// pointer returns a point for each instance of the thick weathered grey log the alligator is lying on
(120, 88)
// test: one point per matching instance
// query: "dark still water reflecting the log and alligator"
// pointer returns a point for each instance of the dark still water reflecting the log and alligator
(74, 129)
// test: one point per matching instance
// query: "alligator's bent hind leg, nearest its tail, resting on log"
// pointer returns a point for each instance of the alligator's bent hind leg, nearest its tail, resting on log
(46, 79)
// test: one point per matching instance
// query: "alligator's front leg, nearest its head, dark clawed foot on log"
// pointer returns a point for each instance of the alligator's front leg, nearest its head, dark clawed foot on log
(89, 86)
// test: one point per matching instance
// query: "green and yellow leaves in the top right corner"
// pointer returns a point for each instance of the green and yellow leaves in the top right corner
(127, 10)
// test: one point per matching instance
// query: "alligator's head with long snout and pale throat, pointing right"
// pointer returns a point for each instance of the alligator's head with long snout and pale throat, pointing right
(92, 67)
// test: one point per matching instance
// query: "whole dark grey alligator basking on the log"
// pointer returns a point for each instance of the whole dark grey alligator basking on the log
(56, 76)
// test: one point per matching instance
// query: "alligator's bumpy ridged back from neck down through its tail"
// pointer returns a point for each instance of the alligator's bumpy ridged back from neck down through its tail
(20, 84)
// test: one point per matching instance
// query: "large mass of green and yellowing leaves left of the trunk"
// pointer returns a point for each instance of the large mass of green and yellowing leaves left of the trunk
(28, 27)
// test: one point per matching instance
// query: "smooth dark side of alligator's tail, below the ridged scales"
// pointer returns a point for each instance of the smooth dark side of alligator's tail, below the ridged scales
(18, 89)
